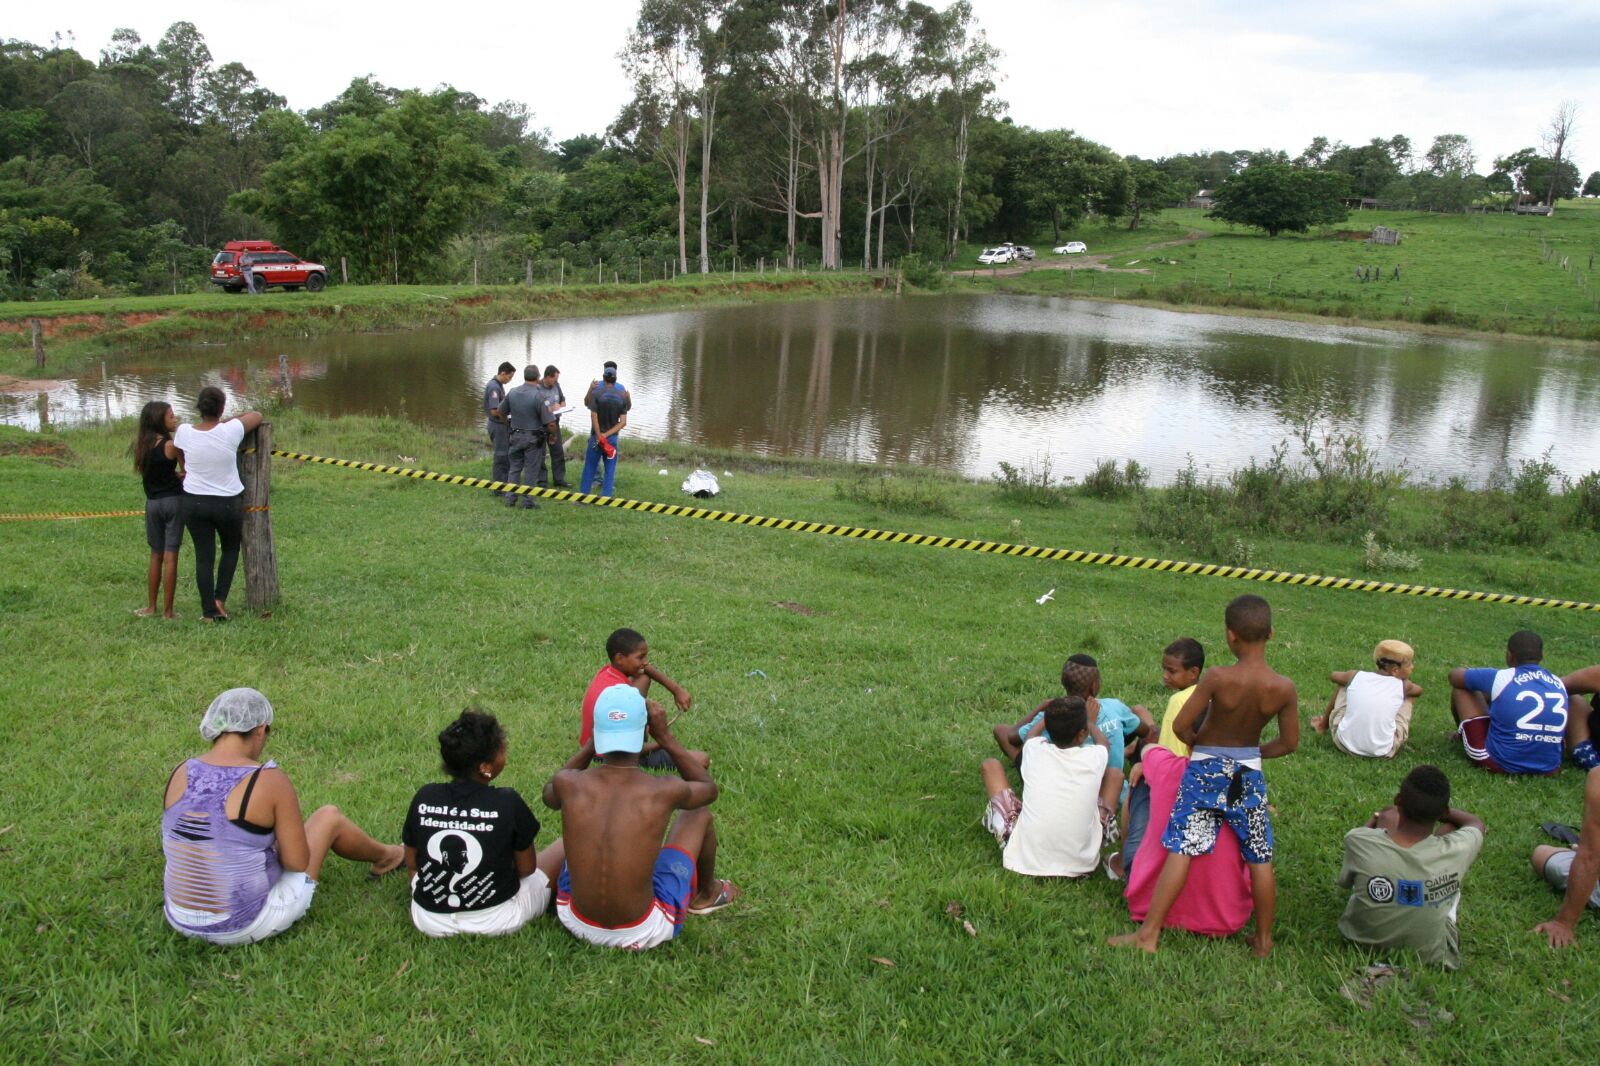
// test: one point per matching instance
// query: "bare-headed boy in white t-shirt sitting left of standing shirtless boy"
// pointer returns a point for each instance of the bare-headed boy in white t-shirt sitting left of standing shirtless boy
(1055, 830)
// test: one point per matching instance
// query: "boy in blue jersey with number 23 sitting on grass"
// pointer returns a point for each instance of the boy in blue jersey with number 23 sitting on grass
(1513, 721)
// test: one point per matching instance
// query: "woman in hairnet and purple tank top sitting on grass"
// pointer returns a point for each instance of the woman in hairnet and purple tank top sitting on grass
(241, 865)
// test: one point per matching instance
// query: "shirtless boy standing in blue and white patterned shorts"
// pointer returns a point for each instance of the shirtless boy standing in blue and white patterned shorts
(1225, 782)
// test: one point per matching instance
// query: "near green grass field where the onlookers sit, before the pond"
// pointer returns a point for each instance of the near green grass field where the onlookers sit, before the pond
(846, 692)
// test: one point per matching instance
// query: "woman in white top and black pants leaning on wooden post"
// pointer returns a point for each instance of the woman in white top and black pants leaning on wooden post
(214, 497)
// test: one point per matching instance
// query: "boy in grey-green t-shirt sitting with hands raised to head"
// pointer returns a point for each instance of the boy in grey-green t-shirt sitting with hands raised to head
(1407, 865)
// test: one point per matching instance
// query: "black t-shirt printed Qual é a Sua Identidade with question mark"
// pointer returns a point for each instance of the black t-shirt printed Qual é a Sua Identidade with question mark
(466, 836)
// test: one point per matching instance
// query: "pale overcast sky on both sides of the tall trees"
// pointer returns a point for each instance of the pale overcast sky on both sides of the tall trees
(1148, 78)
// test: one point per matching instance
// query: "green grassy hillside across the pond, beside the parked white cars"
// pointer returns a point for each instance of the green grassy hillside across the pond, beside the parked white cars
(1466, 271)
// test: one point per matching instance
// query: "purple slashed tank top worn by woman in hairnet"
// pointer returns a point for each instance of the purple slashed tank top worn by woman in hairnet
(218, 876)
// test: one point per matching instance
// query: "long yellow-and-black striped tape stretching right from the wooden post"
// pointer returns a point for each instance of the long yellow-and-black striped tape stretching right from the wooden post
(927, 540)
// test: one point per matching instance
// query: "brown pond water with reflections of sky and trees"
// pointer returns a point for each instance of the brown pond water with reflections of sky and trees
(959, 383)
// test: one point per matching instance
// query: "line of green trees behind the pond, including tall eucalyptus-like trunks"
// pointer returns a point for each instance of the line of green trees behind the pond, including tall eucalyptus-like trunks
(790, 132)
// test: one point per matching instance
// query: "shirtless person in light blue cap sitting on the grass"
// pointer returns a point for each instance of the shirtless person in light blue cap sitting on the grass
(620, 886)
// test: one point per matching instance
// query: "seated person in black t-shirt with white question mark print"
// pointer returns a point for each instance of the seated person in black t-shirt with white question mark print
(470, 846)
